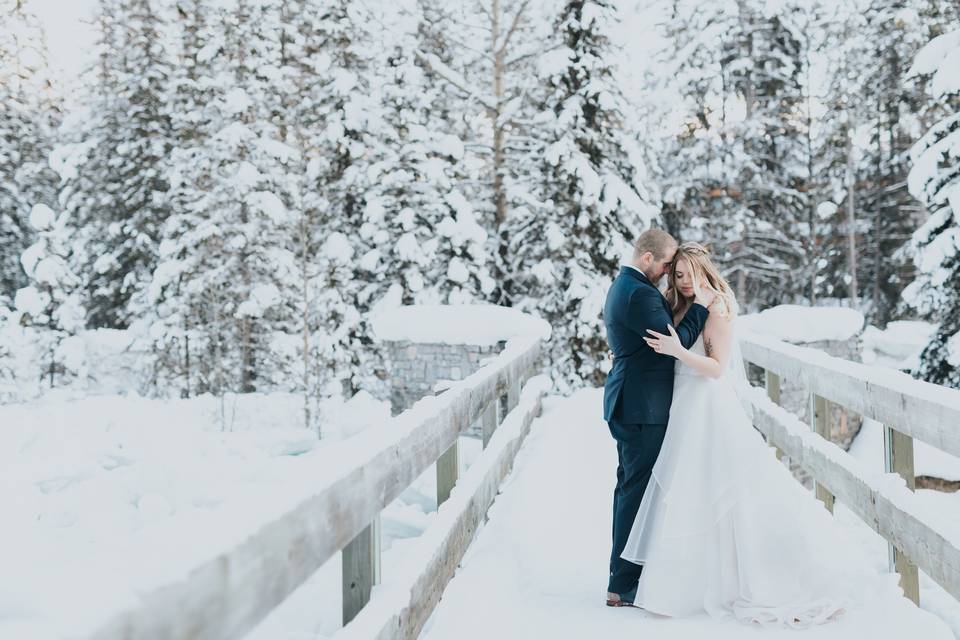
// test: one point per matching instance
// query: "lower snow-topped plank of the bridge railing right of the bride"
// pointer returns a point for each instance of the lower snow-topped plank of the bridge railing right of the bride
(889, 512)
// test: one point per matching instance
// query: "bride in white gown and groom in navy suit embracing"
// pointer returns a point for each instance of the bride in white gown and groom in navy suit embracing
(705, 519)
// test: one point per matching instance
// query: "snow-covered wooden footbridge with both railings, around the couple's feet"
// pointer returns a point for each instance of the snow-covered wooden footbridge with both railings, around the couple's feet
(226, 596)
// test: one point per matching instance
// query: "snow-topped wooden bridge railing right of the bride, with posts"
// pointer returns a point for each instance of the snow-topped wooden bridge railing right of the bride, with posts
(908, 409)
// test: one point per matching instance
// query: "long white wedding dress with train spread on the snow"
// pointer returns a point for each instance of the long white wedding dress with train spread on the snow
(724, 528)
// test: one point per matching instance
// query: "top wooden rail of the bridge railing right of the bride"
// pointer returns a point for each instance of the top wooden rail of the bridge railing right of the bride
(919, 409)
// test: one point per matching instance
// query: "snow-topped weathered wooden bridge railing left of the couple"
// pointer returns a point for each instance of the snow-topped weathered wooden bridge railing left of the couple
(229, 594)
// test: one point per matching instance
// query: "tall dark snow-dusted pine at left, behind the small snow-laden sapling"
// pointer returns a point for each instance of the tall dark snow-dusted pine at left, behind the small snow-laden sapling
(117, 197)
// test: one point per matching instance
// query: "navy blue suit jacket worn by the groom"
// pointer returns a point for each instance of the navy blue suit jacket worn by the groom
(639, 387)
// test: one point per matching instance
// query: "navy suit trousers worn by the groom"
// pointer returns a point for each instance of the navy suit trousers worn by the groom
(638, 446)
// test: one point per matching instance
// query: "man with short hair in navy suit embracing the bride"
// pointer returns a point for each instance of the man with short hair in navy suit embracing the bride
(639, 388)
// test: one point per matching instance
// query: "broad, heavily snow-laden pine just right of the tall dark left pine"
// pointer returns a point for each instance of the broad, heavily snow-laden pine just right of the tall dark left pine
(226, 263)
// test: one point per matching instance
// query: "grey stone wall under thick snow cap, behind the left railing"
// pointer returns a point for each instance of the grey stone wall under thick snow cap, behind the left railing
(413, 369)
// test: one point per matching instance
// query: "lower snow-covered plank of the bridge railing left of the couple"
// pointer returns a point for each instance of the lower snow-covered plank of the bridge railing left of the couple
(456, 525)
